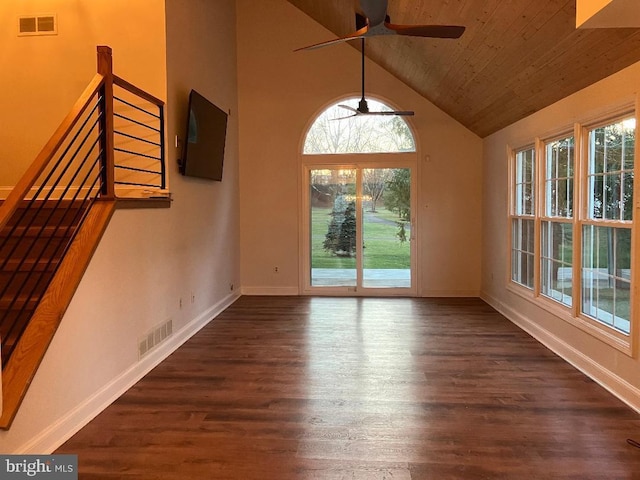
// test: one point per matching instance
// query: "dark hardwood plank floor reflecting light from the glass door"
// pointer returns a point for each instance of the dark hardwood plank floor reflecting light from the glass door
(361, 388)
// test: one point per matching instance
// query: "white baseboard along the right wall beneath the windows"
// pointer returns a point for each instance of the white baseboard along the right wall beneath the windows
(616, 385)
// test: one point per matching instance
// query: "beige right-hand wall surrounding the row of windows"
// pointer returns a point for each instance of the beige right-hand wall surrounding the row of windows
(607, 365)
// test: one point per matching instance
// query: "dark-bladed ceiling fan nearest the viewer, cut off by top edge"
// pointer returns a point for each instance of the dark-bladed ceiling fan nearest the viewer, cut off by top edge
(372, 20)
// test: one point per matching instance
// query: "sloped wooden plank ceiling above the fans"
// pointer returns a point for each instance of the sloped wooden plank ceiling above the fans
(515, 57)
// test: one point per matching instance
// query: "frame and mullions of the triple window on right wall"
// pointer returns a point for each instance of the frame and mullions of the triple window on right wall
(626, 343)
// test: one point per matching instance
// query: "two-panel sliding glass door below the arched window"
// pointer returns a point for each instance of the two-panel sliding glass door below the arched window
(360, 235)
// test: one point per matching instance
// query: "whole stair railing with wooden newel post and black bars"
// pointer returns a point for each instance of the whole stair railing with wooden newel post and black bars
(106, 140)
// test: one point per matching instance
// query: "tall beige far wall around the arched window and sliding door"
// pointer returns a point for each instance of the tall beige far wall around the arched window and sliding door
(280, 92)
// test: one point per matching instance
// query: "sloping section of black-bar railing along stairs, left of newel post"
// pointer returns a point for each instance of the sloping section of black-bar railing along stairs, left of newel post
(38, 233)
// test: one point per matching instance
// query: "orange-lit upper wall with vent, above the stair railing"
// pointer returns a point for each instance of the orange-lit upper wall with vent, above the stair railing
(42, 76)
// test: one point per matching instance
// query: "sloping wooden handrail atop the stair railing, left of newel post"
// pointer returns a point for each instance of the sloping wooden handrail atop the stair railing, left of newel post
(11, 203)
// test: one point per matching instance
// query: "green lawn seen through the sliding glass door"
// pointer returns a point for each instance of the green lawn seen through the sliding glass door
(382, 247)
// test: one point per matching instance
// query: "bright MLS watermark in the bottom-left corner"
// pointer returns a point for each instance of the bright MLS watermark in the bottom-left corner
(51, 467)
